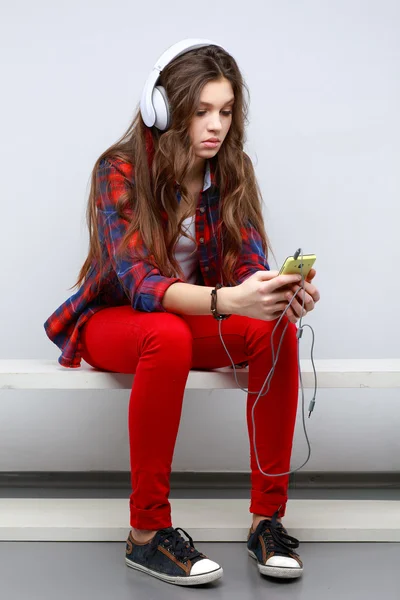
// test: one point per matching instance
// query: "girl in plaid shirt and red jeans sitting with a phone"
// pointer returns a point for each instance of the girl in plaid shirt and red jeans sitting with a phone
(175, 209)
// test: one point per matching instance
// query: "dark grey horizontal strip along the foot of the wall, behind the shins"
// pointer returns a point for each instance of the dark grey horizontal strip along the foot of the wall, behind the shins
(191, 480)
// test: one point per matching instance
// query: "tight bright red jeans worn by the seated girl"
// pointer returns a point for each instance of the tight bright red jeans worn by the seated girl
(161, 348)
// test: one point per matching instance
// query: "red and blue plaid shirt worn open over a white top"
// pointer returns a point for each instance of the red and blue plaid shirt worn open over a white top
(137, 282)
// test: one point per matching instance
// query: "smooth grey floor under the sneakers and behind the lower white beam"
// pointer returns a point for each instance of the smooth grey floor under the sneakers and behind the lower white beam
(87, 570)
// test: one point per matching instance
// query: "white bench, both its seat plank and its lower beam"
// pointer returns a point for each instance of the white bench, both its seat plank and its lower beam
(66, 519)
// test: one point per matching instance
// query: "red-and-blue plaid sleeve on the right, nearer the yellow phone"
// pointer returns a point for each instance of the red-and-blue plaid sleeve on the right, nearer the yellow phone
(252, 256)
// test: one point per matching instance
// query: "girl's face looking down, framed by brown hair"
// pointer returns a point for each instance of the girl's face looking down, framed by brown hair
(212, 119)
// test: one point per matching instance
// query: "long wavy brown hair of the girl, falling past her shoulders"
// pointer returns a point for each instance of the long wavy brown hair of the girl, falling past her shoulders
(154, 192)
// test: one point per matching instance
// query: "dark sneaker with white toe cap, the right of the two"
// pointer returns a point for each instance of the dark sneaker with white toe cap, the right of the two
(273, 549)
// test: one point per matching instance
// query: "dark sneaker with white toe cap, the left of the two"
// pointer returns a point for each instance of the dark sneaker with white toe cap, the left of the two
(171, 558)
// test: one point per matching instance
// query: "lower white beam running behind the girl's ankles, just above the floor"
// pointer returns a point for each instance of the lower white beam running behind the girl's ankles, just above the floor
(215, 520)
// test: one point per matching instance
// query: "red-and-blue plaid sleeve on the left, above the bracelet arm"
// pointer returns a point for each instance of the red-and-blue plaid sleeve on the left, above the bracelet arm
(144, 285)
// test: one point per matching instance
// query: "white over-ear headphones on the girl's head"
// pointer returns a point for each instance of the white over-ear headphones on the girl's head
(154, 105)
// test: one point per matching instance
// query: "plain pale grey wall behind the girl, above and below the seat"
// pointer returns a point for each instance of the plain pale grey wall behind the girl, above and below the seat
(324, 137)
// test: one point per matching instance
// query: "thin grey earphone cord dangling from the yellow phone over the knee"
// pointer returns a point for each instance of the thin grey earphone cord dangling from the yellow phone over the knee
(270, 374)
